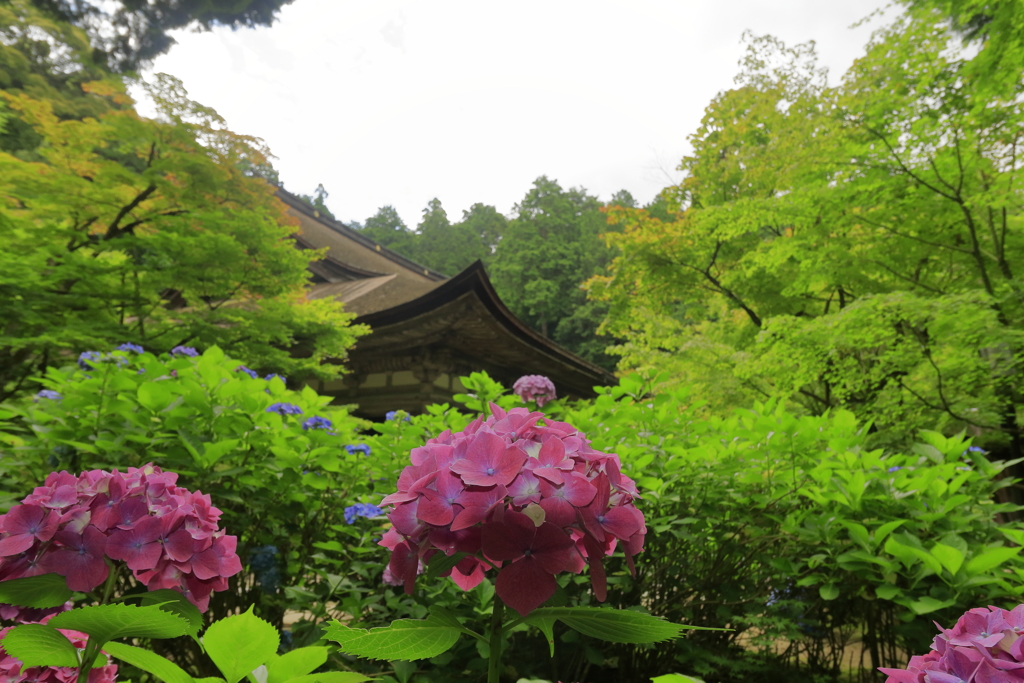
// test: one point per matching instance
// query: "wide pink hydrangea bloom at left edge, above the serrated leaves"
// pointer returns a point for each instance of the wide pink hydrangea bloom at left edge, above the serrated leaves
(166, 535)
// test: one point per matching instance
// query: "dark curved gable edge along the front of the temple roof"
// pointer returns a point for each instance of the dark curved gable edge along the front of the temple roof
(476, 278)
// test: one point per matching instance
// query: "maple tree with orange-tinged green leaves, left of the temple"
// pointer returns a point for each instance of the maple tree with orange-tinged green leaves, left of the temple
(155, 232)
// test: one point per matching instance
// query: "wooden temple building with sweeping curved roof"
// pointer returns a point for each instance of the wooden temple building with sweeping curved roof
(428, 330)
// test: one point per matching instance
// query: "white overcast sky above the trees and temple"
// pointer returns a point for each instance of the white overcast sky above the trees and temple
(399, 102)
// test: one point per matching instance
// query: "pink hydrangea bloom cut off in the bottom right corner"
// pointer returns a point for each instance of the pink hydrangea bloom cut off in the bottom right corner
(986, 647)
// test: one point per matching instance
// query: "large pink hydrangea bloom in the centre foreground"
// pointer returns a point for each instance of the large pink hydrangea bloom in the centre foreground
(530, 500)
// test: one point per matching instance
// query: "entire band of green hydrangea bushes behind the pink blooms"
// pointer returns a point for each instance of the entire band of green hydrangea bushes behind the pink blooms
(787, 530)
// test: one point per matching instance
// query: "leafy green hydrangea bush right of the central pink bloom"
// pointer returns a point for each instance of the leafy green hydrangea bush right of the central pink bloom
(798, 536)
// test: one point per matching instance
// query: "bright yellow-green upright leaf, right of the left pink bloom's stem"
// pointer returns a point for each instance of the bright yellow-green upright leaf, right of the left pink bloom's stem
(239, 645)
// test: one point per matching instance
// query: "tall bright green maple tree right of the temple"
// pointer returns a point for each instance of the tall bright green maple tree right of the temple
(847, 247)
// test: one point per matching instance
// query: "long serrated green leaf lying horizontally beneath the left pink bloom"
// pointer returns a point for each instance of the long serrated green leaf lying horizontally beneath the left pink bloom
(105, 623)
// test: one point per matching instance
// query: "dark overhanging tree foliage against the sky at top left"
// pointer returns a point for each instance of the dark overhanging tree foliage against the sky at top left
(130, 35)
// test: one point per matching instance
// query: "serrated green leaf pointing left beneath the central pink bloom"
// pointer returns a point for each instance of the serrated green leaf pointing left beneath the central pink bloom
(405, 639)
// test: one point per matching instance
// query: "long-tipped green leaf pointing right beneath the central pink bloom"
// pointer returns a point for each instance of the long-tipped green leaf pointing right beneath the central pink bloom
(616, 626)
